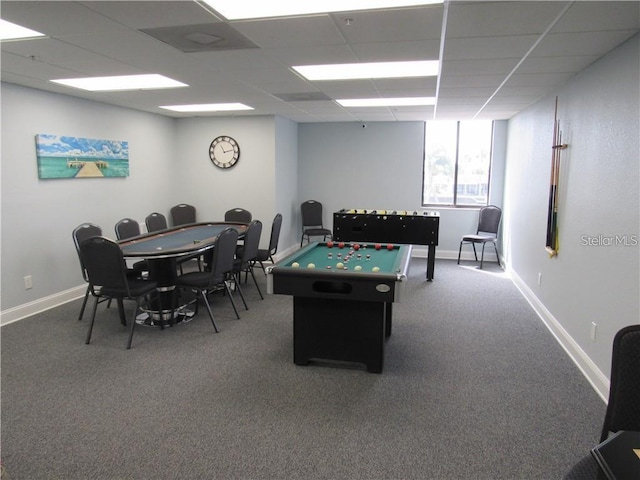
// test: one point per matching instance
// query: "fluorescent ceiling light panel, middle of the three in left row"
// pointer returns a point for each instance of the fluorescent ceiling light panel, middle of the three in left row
(122, 82)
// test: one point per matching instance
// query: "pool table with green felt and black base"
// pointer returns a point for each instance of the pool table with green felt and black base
(342, 314)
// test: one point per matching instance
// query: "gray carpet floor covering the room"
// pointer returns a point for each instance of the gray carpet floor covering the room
(474, 387)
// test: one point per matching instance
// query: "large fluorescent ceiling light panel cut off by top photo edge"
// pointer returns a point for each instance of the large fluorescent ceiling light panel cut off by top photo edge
(242, 10)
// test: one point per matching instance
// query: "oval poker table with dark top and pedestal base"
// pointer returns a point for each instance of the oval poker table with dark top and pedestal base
(162, 250)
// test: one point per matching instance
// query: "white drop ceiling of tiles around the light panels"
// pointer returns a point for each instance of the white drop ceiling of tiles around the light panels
(497, 57)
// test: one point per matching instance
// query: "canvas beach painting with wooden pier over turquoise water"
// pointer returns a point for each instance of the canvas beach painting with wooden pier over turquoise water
(75, 157)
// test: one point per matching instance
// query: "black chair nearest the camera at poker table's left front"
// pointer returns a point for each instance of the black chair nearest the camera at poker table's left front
(107, 272)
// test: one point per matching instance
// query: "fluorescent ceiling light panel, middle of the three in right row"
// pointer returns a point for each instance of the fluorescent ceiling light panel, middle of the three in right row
(353, 71)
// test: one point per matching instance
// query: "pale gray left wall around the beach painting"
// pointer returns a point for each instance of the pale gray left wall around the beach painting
(39, 215)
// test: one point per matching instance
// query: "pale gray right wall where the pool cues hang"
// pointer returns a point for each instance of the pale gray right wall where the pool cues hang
(599, 195)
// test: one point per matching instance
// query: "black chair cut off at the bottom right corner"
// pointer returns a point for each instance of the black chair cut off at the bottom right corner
(623, 408)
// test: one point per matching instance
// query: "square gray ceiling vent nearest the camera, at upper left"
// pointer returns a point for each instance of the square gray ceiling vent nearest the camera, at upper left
(208, 37)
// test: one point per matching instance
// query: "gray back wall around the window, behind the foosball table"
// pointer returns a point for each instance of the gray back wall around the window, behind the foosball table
(379, 166)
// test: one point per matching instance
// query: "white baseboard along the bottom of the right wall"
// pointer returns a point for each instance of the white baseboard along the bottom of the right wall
(589, 369)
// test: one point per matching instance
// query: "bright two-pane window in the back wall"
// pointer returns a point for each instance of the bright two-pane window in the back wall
(457, 163)
